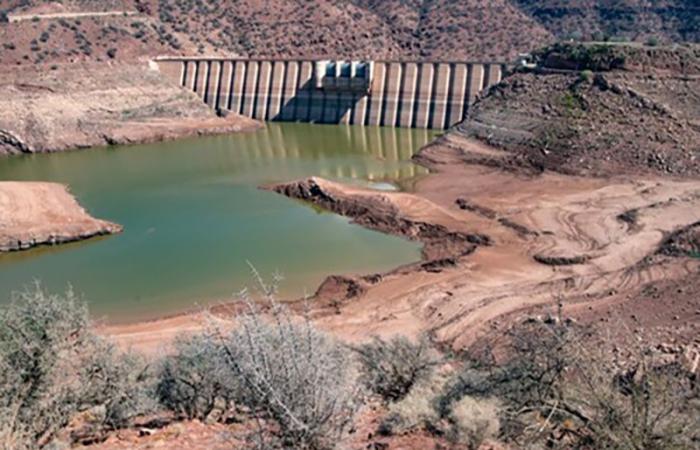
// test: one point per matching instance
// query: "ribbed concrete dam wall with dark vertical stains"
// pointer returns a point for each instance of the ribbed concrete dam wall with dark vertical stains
(433, 95)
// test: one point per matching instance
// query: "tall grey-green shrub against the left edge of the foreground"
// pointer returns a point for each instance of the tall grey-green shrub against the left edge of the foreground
(40, 340)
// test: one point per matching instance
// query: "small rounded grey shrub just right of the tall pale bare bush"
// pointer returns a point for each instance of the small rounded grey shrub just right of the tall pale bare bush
(392, 368)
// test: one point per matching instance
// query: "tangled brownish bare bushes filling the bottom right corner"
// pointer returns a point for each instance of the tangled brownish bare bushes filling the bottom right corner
(556, 392)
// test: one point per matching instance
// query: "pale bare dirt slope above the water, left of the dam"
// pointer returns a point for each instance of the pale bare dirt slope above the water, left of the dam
(83, 106)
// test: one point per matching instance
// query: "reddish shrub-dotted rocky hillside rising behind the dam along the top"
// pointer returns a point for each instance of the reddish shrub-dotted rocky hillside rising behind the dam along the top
(428, 29)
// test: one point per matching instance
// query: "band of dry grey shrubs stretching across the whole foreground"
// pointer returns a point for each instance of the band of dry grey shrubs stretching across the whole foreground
(294, 387)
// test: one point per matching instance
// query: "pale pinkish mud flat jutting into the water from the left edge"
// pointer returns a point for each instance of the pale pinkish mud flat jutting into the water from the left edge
(33, 214)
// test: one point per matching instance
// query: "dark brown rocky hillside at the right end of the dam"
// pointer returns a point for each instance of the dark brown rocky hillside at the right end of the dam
(597, 110)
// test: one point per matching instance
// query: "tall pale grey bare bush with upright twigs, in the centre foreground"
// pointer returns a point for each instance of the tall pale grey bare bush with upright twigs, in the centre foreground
(299, 383)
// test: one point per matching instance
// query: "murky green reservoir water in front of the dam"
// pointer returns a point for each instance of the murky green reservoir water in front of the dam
(193, 216)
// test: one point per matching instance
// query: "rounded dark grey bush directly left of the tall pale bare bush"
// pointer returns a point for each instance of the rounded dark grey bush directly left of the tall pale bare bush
(195, 382)
